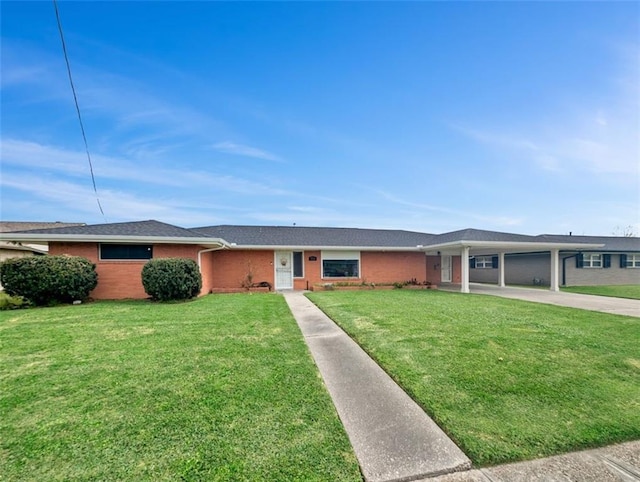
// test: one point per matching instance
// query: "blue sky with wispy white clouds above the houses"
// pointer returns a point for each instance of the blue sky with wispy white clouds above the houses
(431, 116)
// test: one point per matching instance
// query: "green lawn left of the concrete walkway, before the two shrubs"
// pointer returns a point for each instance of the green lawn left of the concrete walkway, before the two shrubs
(222, 388)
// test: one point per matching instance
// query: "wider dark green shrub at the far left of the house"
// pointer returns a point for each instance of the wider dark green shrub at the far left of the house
(46, 280)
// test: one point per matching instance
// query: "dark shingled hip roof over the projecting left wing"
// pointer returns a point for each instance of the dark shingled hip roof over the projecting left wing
(137, 228)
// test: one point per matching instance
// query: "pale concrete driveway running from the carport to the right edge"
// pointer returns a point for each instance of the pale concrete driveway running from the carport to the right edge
(606, 304)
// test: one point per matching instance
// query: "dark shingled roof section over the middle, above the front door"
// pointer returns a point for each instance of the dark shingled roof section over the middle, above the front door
(307, 236)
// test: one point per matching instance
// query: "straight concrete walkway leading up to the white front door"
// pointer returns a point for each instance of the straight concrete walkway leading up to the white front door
(392, 437)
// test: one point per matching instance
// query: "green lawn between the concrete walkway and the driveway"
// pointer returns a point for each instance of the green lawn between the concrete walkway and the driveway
(507, 380)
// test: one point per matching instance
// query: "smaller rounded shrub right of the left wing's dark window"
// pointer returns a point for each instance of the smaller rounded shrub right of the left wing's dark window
(171, 279)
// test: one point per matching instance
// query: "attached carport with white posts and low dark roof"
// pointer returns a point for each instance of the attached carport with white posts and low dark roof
(474, 242)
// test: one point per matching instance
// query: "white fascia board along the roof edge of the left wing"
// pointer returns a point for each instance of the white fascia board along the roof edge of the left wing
(98, 238)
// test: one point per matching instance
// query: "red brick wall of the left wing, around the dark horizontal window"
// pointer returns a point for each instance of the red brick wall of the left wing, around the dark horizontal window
(121, 279)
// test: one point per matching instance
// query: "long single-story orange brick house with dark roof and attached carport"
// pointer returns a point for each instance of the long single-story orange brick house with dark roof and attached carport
(230, 257)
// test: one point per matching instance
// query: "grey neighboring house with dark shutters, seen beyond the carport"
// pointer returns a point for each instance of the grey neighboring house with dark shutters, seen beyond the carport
(616, 261)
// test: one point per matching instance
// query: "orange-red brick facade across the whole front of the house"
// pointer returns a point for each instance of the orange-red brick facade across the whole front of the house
(228, 270)
